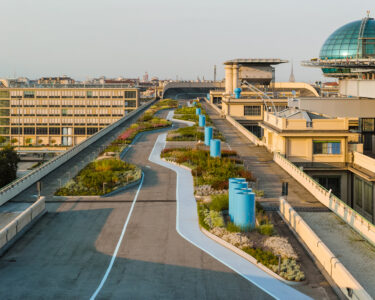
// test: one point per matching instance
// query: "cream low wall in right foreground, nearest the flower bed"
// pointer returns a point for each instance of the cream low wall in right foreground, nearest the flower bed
(336, 270)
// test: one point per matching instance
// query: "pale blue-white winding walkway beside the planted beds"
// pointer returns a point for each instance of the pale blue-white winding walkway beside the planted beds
(187, 226)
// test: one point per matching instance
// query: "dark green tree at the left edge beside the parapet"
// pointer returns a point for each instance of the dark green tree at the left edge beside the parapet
(8, 165)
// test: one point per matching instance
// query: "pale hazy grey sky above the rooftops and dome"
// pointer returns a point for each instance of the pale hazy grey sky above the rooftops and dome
(166, 38)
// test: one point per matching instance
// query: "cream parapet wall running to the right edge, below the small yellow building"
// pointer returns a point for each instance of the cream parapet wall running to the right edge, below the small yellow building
(341, 209)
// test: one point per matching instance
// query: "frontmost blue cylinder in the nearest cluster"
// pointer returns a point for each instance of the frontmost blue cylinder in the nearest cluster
(245, 212)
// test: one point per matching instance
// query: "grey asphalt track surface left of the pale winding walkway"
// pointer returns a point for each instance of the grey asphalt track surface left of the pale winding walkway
(67, 253)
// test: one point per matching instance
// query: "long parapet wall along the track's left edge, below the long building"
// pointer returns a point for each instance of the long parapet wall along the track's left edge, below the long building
(19, 185)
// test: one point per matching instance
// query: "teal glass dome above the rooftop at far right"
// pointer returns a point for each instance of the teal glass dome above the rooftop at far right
(343, 43)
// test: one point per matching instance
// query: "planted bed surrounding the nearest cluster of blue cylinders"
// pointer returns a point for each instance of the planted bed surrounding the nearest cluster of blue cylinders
(211, 177)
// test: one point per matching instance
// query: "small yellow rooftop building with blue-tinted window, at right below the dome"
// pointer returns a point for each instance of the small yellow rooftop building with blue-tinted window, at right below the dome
(303, 136)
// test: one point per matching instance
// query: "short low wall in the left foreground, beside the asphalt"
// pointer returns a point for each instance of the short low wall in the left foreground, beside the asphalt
(10, 233)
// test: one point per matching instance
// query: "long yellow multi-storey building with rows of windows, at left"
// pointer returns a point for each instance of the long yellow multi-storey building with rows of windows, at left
(61, 116)
